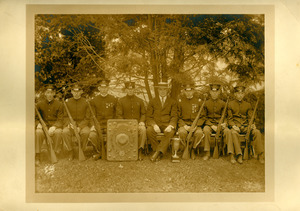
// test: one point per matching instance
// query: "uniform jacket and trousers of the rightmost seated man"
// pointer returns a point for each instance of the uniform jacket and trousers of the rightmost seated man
(239, 115)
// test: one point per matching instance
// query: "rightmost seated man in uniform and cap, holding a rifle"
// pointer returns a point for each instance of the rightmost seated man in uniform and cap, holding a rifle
(239, 115)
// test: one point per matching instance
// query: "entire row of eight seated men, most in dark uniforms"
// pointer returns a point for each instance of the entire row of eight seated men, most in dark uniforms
(163, 115)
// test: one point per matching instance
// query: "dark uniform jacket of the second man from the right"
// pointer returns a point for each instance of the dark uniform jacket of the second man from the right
(213, 111)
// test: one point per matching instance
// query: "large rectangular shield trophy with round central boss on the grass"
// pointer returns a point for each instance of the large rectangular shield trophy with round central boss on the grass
(122, 140)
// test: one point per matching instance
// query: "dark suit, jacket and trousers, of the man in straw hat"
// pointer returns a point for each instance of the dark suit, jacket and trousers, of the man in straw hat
(163, 115)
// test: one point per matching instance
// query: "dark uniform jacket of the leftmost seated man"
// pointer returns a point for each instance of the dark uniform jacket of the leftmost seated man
(51, 112)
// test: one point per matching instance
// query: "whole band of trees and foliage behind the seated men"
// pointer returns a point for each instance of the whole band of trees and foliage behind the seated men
(149, 48)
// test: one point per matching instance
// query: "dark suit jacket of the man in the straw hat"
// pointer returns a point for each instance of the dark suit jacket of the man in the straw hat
(162, 115)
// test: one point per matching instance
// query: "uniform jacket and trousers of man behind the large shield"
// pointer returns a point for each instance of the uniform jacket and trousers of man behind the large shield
(132, 107)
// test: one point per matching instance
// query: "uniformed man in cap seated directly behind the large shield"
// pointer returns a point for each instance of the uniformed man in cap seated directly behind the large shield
(132, 107)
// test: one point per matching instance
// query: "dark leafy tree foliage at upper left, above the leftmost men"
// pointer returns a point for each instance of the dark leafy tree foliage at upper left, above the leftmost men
(67, 49)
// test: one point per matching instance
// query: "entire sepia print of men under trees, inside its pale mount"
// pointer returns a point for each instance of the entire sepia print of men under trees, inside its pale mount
(149, 103)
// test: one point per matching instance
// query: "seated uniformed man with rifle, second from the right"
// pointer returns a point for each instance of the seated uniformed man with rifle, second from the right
(213, 110)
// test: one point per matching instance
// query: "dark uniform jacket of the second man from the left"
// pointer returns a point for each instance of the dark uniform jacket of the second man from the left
(79, 111)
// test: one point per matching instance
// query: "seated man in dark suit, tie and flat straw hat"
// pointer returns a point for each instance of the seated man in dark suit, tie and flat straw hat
(161, 116)
